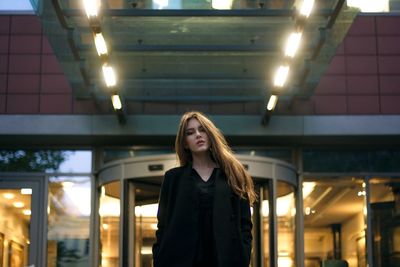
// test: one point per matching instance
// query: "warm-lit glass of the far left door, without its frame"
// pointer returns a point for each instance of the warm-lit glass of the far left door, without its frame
(15, 217)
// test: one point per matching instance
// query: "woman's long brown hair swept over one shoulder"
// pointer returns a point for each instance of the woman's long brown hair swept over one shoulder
(238, 178)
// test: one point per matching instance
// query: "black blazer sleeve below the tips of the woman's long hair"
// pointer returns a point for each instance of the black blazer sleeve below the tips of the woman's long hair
(246, 227)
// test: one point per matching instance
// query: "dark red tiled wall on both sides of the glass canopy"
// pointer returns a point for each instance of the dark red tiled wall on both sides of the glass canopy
(363, 77)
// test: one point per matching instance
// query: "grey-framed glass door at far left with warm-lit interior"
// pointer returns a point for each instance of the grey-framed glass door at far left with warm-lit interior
(22, 220)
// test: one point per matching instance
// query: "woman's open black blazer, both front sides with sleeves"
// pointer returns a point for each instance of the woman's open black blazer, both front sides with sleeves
(177, 222)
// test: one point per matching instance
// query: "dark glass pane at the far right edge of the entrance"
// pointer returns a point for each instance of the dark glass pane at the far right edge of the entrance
(385, 206)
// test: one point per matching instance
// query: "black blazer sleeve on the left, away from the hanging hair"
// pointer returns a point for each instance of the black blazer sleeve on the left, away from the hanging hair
(161, 213)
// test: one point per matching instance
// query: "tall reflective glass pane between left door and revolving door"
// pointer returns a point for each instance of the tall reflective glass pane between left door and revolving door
(68, 221)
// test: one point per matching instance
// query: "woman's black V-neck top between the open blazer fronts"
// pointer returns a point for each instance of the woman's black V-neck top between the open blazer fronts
(206, 255)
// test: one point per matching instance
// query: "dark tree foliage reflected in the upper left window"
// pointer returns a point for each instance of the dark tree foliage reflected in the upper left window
(30, 160)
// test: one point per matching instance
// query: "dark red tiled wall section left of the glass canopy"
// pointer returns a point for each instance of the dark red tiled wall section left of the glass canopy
(31, 79)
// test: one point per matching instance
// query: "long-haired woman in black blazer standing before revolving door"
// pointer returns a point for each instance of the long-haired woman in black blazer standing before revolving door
(204, 215)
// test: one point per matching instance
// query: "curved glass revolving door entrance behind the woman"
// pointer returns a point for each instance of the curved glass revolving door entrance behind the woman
(128, 196)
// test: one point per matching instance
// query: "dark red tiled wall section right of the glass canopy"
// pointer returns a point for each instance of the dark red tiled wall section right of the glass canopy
(364, 75)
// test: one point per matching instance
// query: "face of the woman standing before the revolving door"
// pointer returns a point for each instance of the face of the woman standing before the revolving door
(196, 138)
